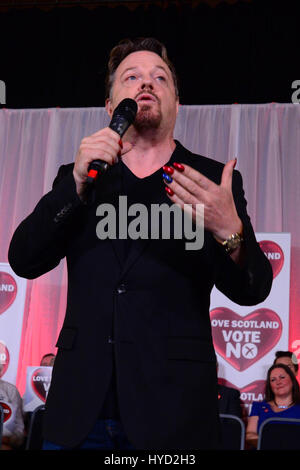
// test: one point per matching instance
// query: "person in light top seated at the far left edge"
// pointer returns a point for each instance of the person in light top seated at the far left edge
(13, 428)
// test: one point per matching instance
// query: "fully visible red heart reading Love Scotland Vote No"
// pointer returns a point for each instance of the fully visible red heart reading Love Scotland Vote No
(242, 341)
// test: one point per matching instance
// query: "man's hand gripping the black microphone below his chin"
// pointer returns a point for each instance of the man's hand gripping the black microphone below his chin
(104, 145)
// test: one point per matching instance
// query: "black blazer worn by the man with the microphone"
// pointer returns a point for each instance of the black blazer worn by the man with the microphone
(155, 306)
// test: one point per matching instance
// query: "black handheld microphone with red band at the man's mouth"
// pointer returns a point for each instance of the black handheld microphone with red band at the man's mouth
(122, 118)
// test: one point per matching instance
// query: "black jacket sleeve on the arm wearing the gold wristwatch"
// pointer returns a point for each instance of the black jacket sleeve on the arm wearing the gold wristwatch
(251, 283)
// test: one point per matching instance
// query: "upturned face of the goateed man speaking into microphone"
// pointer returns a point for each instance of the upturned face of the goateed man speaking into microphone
(146, 78)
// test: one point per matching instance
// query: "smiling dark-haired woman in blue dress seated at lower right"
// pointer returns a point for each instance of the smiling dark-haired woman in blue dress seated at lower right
(282, 400)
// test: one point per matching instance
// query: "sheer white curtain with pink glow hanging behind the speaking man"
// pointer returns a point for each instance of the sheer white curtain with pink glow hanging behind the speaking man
(34, 143)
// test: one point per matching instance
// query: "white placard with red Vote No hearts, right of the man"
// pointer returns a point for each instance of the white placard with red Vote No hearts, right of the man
(247, 337)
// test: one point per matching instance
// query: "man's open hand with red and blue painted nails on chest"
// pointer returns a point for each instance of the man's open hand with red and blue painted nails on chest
(191, 187)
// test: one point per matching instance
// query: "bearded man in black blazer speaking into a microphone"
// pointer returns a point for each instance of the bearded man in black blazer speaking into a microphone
(135, 367)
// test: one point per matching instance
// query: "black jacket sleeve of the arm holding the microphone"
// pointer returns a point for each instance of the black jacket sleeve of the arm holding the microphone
(39, 242)
